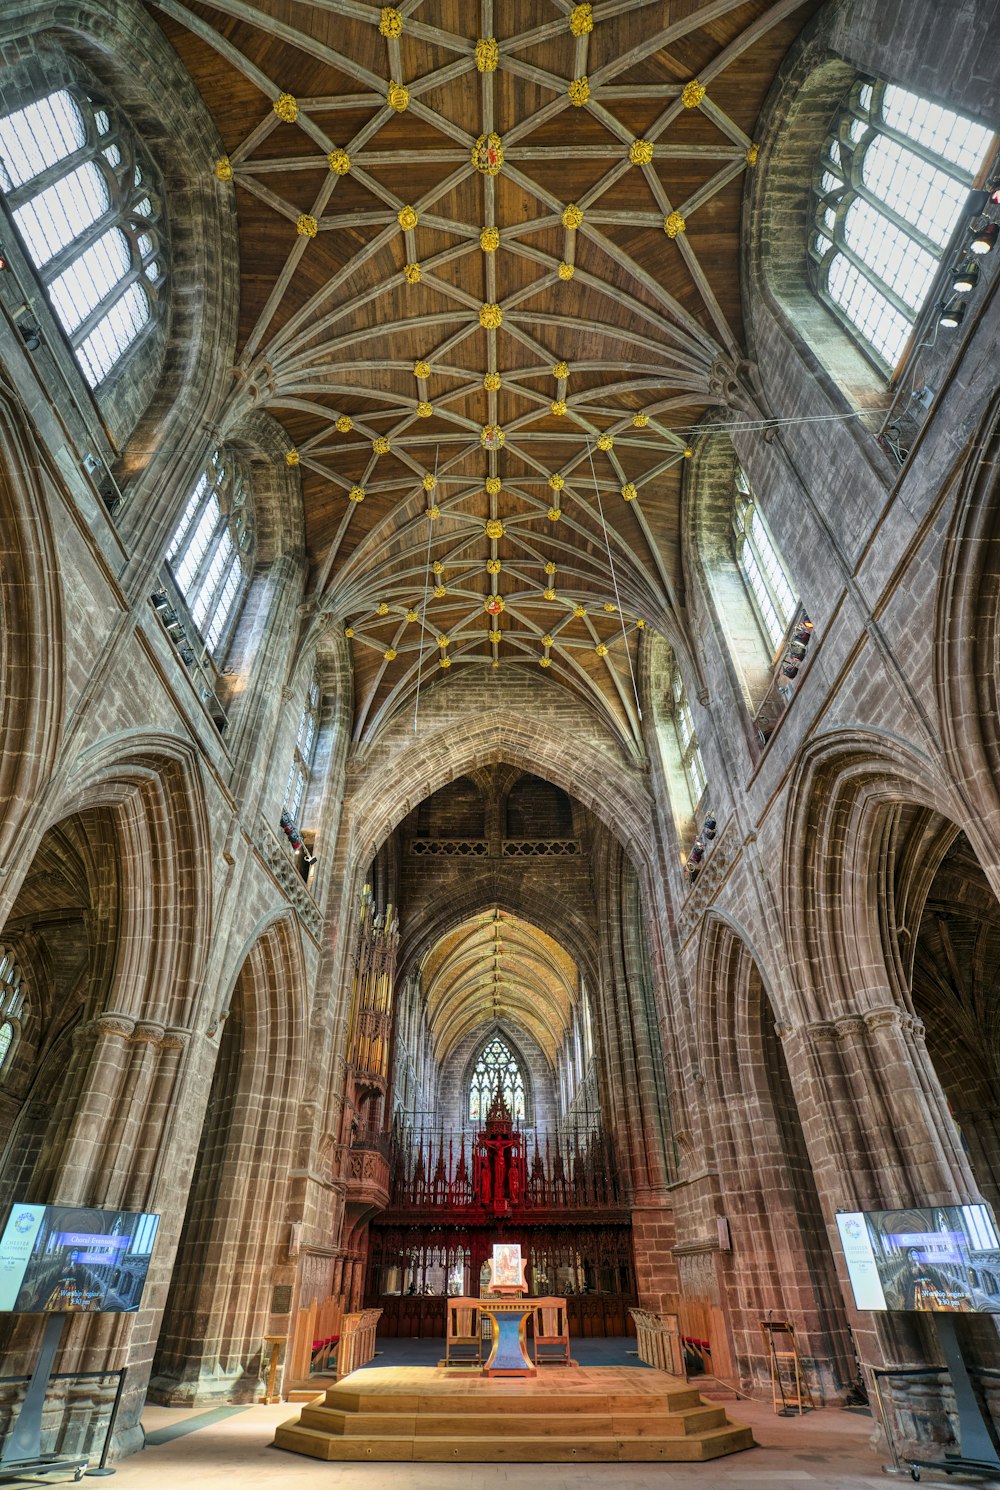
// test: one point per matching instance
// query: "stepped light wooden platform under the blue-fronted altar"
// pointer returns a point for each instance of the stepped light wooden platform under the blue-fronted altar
(563, 1416)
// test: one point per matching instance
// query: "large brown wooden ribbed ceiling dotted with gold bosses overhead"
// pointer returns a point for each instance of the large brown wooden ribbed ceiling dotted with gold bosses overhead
(490, 275)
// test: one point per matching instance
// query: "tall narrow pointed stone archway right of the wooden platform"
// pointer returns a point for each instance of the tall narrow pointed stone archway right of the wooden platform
(780, 1260)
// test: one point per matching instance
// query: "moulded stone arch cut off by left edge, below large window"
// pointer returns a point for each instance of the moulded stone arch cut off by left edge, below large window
(31, 624)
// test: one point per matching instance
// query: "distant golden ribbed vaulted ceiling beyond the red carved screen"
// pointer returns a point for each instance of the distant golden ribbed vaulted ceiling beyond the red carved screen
(499, 969)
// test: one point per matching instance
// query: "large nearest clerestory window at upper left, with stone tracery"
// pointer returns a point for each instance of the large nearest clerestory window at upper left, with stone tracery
(83, 196)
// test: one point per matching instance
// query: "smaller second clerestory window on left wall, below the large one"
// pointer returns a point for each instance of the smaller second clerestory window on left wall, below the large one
(211, 554)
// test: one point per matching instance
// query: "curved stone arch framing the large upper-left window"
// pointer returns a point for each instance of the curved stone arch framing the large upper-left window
(136, 65)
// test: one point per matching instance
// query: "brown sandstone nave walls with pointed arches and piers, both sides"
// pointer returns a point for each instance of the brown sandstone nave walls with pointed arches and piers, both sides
(759, 1035)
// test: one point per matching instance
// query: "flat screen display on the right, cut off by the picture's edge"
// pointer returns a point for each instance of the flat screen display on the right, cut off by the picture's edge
(941, 1260)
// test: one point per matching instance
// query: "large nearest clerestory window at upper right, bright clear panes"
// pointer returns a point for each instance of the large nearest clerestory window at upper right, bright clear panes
(890, 188)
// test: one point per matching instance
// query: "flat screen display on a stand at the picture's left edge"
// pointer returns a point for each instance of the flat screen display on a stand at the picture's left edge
(68, 1260)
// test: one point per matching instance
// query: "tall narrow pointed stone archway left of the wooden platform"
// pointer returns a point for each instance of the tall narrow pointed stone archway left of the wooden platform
(233, 1275)
